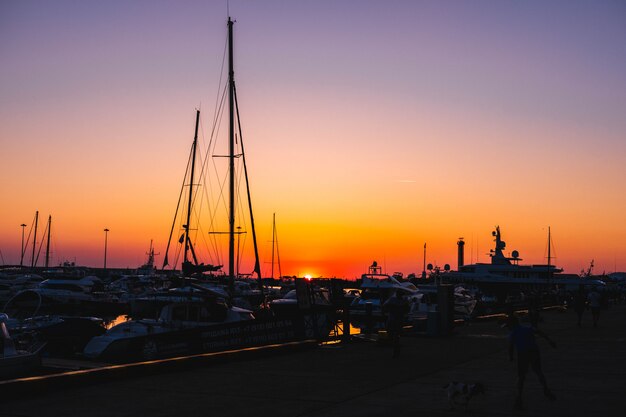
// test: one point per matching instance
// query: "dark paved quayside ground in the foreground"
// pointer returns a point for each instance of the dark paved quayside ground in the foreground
(587, 372)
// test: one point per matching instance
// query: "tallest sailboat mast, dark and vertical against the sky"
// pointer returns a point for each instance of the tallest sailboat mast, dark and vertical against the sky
(231, 155)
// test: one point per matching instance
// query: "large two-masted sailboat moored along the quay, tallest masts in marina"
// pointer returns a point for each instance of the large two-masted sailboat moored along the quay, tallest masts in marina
(195, 318)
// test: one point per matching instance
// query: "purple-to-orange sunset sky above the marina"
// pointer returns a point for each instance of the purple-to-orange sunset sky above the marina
(371, 128)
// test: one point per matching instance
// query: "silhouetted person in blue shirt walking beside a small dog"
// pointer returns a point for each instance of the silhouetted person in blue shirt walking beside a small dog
(522, 340)
